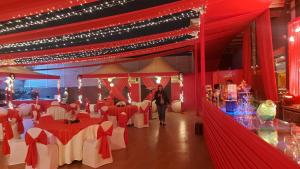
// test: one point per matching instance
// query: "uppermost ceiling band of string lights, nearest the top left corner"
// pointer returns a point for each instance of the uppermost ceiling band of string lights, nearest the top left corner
(41, 19)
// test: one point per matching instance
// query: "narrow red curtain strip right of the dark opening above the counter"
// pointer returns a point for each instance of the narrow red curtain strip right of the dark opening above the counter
(247, 56)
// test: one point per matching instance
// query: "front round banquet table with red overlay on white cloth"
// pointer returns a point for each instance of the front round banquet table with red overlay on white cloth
(70, 137)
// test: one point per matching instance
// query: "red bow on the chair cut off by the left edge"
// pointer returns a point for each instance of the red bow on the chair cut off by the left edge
(8, 134)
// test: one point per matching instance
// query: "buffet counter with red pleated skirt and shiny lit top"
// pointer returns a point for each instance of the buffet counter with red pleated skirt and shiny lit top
(240, 140)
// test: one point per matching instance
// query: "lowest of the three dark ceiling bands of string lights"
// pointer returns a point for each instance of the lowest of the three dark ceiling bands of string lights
(106, 51)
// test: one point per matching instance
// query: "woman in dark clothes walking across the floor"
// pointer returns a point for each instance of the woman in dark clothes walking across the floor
(161, 101)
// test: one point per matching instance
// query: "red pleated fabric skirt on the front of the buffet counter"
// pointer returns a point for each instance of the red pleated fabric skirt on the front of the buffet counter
(233, 146)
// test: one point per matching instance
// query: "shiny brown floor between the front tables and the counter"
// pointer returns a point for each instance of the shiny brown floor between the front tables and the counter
(174, 146)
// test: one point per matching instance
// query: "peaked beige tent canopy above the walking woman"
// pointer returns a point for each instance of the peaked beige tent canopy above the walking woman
(157, 67)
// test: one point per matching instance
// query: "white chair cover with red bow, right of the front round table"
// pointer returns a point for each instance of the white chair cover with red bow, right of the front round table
(91, 156)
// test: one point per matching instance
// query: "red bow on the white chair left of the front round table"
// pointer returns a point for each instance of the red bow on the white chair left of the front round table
(31, 157)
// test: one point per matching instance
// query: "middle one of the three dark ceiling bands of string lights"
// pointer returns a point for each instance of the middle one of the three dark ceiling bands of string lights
(94, 36)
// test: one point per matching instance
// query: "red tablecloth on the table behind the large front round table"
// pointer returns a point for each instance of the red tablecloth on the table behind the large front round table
(129, 110)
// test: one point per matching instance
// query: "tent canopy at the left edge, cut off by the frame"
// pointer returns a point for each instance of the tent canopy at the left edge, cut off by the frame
(23, 73)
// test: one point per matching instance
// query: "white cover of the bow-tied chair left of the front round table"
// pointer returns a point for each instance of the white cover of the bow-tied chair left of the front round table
(47, 154)
